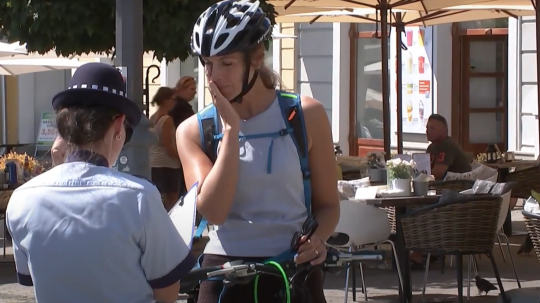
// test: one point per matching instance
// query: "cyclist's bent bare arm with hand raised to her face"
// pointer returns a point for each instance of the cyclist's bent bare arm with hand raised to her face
(217, 182)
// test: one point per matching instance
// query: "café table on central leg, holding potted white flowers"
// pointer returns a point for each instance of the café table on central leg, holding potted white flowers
(400, 204)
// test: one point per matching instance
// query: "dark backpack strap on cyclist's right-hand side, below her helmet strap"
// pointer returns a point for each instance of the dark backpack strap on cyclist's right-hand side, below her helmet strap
(291, 109)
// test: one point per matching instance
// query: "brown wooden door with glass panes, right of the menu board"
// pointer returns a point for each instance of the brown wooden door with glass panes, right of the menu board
(484, 92)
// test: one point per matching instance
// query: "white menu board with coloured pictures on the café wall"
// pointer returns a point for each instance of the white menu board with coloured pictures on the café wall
(417, 75)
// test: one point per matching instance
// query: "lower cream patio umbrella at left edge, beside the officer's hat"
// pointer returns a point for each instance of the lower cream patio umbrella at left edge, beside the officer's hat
(15, 67)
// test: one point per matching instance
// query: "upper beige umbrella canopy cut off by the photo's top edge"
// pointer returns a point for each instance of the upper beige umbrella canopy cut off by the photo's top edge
(417, 5)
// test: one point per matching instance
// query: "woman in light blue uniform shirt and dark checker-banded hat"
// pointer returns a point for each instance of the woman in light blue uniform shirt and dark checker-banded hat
(84, 232)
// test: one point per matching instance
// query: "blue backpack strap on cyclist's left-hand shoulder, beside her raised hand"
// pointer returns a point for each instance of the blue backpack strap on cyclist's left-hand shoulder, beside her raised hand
(208, 128)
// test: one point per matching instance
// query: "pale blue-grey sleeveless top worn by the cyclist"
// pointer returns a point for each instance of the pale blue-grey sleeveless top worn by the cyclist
(268, 207)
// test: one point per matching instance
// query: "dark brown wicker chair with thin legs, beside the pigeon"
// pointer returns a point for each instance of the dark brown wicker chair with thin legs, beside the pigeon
(466, 226)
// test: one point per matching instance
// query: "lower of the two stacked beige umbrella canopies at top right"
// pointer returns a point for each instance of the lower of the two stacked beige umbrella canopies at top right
(409, 17)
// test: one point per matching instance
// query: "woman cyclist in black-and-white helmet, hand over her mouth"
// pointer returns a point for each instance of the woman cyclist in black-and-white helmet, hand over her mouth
(257, 204)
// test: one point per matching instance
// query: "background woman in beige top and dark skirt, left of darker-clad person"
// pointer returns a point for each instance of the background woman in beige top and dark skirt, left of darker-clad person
(166, 168)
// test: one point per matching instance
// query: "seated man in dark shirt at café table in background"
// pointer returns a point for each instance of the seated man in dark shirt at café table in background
(446, 154)
